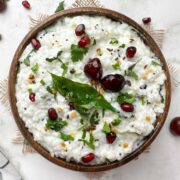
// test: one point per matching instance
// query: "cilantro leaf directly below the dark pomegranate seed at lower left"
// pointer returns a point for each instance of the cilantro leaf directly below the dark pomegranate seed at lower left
(55, 125)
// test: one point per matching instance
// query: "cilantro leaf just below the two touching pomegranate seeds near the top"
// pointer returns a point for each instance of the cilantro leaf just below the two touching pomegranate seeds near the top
(78, 53)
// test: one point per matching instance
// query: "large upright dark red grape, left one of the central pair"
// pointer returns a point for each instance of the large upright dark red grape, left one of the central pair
(93, 69)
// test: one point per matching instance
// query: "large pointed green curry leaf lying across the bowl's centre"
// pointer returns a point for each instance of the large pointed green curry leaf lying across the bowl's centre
(83, 95)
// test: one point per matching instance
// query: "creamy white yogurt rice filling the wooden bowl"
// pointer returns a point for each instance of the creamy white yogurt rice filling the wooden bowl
(60, 37)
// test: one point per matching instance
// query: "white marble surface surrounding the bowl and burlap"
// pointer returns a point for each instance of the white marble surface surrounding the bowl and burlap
(163, 161)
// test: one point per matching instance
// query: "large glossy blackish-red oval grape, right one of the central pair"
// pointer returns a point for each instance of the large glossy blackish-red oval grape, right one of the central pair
(113, 82)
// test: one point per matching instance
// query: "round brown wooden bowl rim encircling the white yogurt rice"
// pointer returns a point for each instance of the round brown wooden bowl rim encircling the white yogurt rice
(12, 81)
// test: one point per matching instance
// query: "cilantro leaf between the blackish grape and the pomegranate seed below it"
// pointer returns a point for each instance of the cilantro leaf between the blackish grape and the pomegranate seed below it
(125, 98)
